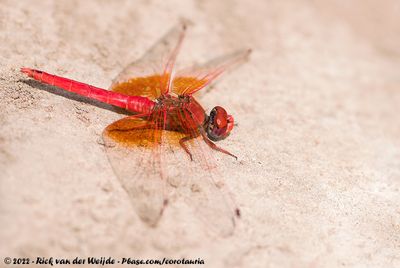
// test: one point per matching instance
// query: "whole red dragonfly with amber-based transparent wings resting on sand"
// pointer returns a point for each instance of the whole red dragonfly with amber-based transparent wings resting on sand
(143, 148)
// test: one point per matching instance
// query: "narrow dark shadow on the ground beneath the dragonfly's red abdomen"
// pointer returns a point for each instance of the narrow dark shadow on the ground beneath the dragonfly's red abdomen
(73, 96)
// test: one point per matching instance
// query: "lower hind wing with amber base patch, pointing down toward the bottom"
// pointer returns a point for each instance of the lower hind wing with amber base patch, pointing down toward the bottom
(131, 146)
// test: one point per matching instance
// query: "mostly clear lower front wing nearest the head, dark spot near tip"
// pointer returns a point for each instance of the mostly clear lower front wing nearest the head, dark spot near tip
(206, 194)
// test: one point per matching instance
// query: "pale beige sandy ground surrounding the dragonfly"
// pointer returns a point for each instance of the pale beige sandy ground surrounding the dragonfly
(317, 107)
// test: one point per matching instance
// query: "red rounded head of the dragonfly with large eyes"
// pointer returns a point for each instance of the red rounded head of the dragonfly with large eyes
(219, 124)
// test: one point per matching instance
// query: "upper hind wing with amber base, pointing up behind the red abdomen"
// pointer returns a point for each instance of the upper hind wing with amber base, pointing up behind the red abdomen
(150, 76)
